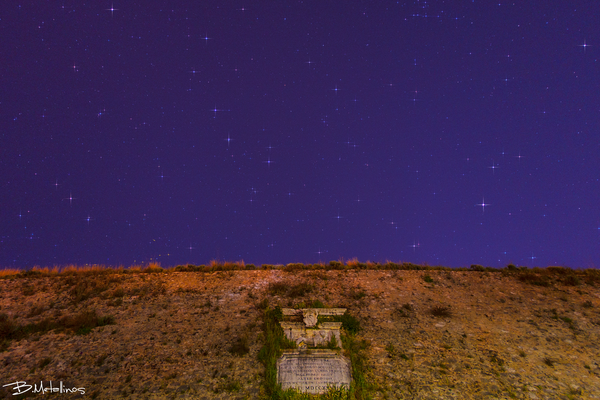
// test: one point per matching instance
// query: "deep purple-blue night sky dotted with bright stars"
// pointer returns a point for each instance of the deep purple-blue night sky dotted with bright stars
(441, 132)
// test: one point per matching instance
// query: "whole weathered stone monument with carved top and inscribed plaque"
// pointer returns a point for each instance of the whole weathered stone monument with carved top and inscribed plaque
(316, 364)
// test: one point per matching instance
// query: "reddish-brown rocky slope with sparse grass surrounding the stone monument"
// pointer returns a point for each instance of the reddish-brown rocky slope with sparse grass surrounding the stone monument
(433, 334)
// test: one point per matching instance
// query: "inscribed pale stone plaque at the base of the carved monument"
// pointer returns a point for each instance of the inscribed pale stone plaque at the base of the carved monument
(313, 371)
